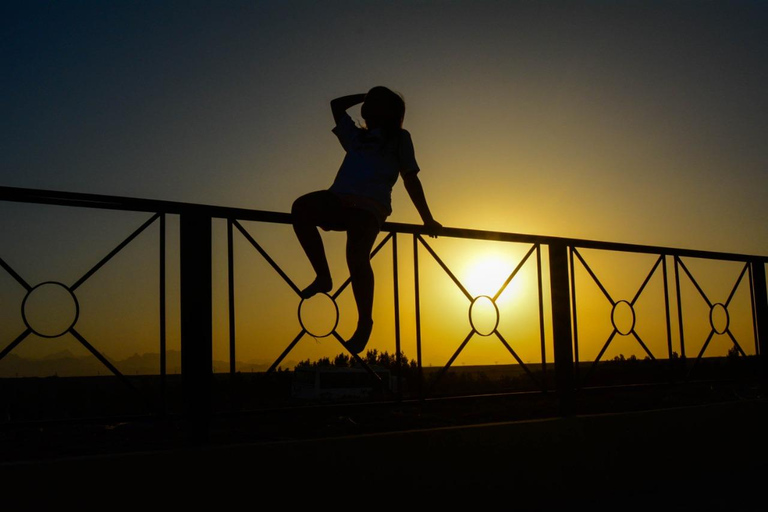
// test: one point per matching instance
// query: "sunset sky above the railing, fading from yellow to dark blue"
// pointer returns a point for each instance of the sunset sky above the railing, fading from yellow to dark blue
(630, 121)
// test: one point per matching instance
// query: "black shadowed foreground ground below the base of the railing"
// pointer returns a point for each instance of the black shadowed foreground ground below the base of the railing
(685, 449)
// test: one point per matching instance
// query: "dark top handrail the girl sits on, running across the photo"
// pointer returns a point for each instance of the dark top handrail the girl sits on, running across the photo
(27, 195)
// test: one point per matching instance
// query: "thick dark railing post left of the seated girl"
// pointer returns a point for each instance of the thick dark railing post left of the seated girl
(196, 322)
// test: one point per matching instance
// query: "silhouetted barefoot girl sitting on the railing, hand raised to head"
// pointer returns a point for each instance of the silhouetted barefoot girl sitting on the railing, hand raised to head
(359, 200)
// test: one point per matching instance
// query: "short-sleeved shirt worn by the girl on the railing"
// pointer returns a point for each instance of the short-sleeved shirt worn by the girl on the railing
(371, 167)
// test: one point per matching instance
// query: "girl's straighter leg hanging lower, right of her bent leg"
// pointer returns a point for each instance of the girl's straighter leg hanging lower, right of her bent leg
(361, 235)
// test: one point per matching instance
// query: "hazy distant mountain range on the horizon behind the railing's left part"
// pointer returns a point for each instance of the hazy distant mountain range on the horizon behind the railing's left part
(66, 364)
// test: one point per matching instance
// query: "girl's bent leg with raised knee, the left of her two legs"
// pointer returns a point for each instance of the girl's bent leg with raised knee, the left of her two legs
(307, 212)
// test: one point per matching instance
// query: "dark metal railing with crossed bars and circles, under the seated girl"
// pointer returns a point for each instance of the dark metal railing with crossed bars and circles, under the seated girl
(565, 259)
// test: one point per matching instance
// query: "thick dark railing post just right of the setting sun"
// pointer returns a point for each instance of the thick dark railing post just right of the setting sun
(561, 325)
